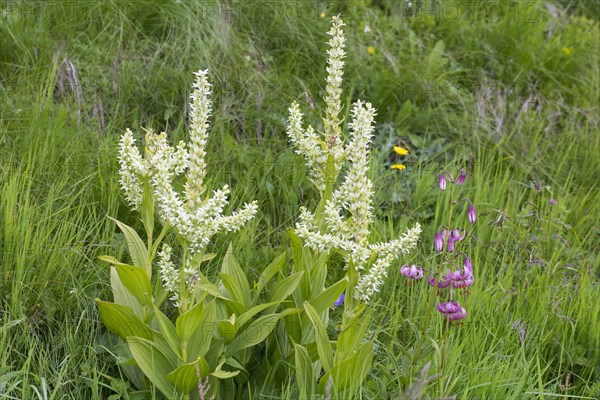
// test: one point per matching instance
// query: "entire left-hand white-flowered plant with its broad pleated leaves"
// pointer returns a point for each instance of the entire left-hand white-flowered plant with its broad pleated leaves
(207, 349)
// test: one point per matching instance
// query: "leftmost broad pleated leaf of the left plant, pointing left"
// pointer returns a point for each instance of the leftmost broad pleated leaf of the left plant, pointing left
(122, 321)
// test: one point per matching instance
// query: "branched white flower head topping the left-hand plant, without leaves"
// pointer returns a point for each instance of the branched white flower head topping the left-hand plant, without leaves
(197, 219)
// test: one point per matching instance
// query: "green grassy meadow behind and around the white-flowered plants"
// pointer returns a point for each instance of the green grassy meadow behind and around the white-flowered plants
(507, 89)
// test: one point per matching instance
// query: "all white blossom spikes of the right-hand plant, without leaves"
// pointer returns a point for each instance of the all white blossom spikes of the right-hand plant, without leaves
(348, 213)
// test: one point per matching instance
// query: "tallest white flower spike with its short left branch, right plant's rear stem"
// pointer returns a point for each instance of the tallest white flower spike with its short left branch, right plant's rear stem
(307, 141)
